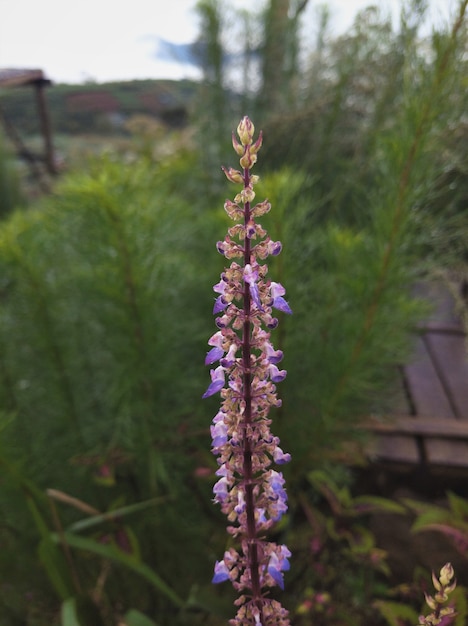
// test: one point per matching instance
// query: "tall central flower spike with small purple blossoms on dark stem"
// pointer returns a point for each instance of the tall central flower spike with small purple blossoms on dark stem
(250, 492)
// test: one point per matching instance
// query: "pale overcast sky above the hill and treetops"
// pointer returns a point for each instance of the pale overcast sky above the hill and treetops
(104, 40)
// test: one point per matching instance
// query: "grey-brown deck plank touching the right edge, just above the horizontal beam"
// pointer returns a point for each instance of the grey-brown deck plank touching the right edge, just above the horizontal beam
(449, 356)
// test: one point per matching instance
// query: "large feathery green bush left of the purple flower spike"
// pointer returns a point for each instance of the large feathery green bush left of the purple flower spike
(101, 369)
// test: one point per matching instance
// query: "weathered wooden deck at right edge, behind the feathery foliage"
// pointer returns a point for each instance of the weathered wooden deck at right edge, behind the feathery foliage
(430, 424)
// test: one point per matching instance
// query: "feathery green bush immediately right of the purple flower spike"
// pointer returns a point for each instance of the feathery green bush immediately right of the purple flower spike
(352, 315)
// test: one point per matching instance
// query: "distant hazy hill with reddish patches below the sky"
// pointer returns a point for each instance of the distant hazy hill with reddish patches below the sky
(100, 108)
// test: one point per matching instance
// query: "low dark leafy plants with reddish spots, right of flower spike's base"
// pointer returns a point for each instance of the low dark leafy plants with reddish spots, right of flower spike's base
(342, 569)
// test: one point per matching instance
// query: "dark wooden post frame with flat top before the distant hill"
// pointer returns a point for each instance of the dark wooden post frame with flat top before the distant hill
(36, 79)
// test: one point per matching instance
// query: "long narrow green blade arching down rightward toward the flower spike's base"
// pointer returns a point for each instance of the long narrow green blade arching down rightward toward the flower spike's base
(113, 553)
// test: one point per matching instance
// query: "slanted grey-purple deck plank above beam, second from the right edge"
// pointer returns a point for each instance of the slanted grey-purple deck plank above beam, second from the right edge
(426, 391)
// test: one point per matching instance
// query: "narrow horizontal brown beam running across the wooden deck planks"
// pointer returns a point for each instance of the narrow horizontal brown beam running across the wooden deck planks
(427, 427)
